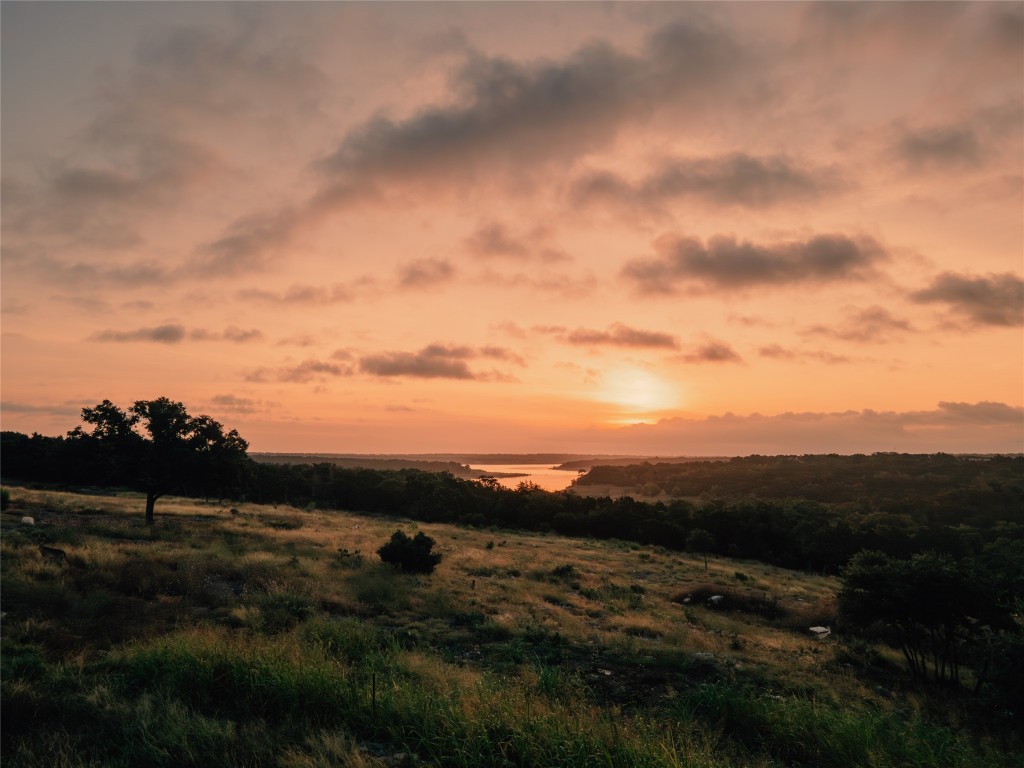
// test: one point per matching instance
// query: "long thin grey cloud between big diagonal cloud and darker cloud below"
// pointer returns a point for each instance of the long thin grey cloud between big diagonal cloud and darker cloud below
(735, 180)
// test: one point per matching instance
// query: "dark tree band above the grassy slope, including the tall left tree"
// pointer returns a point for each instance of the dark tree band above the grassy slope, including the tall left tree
(157, 448)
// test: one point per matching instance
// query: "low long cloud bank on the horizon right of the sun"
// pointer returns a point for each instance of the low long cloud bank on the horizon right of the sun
(952, 428)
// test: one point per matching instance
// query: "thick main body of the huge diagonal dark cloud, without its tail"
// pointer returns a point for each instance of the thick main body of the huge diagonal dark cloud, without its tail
(515, 115)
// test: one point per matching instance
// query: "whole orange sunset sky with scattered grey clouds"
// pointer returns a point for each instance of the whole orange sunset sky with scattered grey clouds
(666, 229)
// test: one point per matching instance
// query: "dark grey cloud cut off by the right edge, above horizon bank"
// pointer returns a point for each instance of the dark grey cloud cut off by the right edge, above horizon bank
(992, 301)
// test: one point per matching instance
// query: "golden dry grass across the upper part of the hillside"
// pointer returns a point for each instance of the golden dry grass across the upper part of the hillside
(615, 593)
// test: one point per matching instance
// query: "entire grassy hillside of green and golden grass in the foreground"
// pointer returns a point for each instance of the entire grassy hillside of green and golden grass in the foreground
(266, 636)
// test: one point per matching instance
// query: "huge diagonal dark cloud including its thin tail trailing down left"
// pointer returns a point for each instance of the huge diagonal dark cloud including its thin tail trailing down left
(507, 118)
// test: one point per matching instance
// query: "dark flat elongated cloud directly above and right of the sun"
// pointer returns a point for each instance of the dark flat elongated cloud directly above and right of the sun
(728, 265)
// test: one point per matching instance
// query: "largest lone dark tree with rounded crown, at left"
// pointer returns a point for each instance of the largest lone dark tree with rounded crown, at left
(158, 448)
